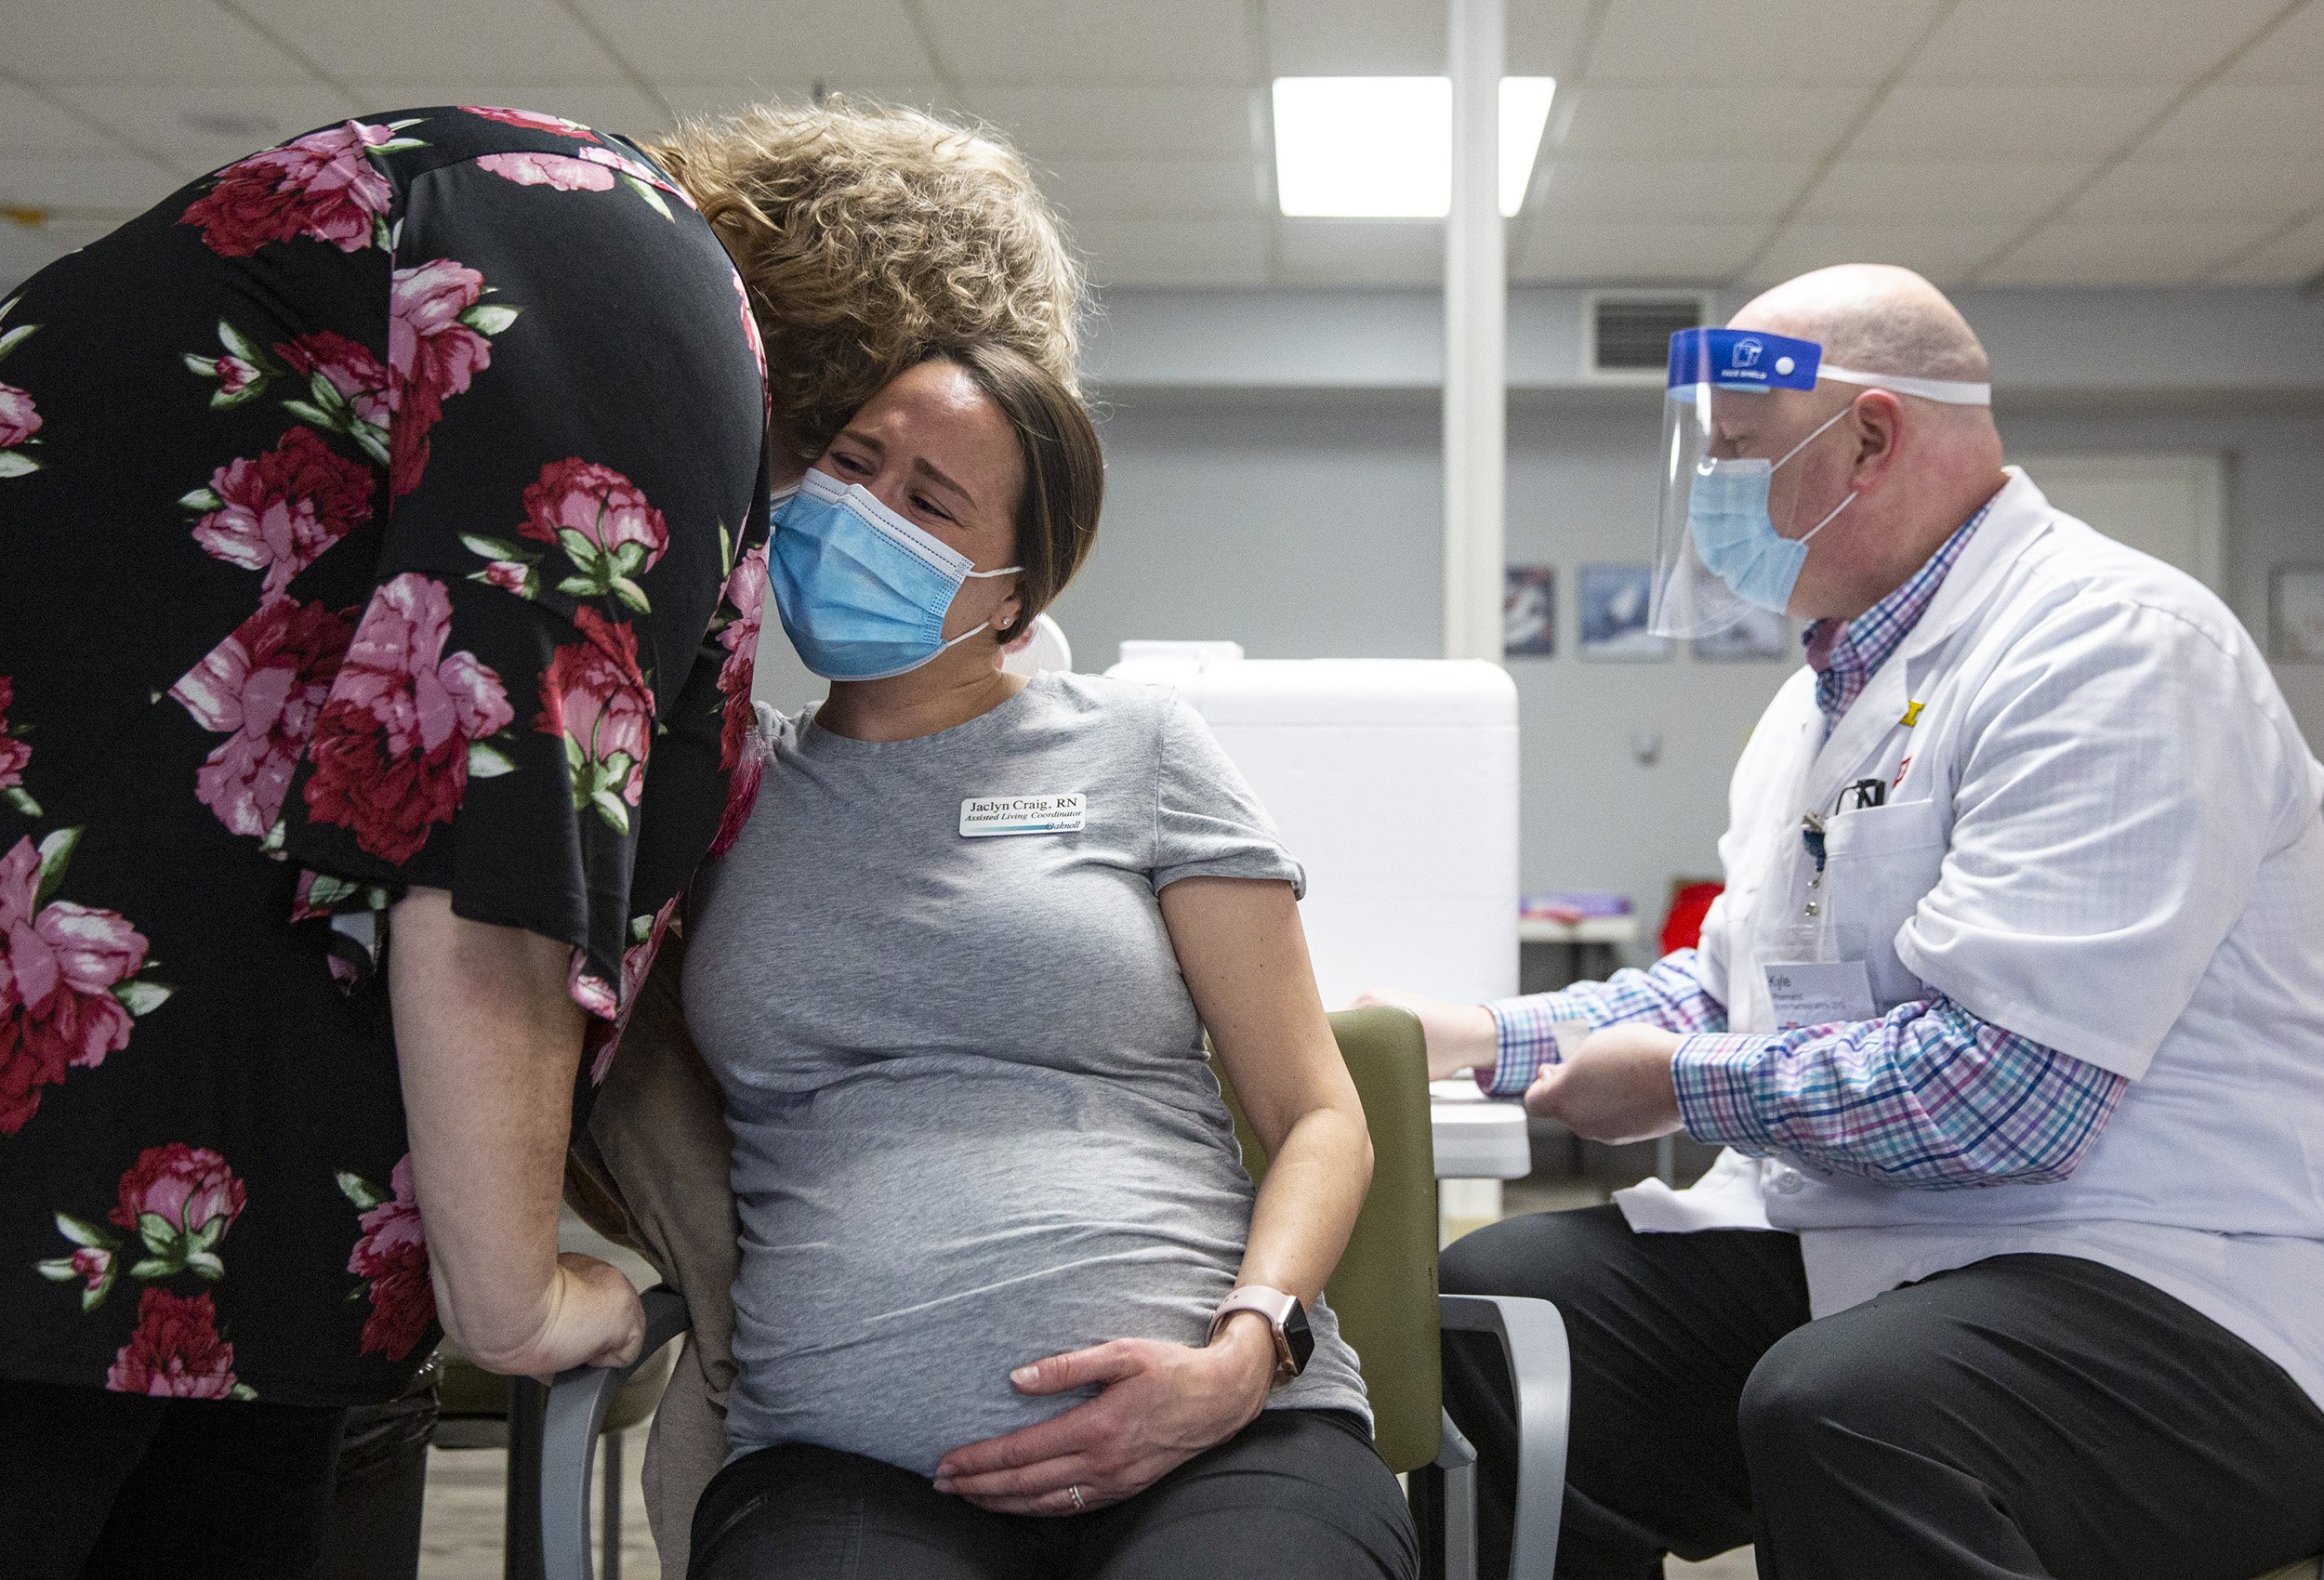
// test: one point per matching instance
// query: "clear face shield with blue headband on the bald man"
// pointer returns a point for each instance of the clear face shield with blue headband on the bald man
(1733, 531)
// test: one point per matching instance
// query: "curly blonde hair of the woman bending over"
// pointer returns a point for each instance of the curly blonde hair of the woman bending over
(870, 238)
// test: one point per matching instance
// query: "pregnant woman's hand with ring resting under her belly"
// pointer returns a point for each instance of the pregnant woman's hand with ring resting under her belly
(1159, 1407)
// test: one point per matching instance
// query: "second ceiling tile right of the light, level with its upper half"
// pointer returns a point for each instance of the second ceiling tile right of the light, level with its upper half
(2000, 120)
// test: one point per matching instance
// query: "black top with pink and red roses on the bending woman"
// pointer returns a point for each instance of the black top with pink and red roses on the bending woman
(382, 510)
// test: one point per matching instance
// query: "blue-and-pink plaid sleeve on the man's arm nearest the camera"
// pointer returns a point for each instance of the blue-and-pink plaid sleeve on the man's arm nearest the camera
(1930, 1098)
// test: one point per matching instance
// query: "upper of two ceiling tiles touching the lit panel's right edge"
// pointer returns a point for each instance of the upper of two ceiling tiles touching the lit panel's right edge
(1772, 122)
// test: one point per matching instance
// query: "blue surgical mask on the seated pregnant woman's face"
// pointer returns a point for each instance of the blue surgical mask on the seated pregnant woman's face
(863, 594)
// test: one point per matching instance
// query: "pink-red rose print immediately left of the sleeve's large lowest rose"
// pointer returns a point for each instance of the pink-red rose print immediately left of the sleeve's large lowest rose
(264, 687)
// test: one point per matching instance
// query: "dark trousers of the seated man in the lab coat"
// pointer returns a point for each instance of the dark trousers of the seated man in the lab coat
(2025, 1416)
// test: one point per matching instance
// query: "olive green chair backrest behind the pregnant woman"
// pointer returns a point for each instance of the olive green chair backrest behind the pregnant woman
(1386, 1284)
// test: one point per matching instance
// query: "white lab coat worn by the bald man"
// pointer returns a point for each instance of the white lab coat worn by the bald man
(2102, 833)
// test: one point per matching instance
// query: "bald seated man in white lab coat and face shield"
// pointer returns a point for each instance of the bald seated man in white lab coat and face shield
(2011, 1017)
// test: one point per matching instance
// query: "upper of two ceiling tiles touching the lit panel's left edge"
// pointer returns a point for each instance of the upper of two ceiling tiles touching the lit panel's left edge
(1063, 127)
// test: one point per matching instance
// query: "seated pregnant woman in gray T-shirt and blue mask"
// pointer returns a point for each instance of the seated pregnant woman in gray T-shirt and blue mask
(1007, 1300)
